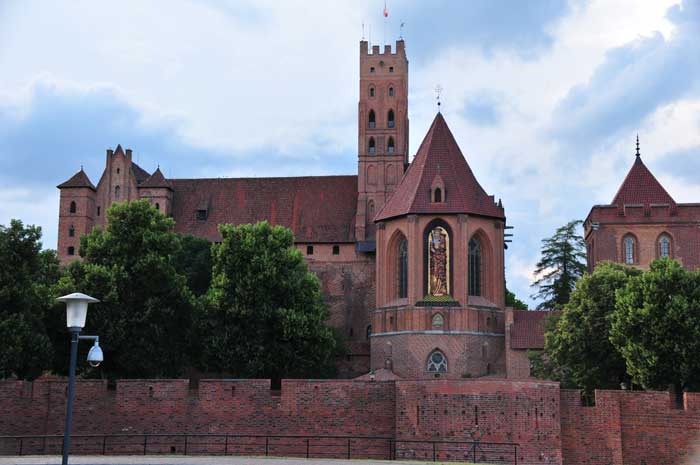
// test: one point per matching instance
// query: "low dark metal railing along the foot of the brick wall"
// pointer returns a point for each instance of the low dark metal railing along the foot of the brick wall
(308, 446)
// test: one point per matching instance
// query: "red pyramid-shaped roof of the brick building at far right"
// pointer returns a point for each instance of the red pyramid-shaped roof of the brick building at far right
(641, 187)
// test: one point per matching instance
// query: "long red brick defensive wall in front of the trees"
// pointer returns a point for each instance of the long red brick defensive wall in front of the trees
(550, 425)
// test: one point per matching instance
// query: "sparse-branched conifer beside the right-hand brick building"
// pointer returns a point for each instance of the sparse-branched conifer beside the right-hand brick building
(561, 265)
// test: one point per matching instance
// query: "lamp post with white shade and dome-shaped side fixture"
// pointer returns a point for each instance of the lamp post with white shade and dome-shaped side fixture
(76, 312)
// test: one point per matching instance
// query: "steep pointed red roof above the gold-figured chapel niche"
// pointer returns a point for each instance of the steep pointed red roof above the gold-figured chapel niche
(439, 158)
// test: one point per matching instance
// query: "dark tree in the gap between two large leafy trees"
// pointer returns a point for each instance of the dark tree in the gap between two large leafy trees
(193, 260)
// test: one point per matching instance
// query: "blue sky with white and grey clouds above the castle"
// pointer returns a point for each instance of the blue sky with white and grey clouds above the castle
(545, 98)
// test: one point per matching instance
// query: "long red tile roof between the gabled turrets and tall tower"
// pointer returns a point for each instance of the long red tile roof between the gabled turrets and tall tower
(317, 209)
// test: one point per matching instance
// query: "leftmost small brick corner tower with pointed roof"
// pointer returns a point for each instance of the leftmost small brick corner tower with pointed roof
(76, 214)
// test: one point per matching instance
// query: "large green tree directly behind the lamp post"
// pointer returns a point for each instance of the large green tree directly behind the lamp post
(144, 316)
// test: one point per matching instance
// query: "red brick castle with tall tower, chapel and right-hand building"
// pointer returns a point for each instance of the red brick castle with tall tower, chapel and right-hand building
(410, 255)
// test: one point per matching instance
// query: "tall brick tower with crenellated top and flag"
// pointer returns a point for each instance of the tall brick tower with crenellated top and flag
(382, 131)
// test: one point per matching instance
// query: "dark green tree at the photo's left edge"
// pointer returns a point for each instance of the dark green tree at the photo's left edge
(26, 276)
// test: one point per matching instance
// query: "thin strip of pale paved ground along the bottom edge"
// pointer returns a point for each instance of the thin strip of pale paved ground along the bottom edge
(170, 460)
